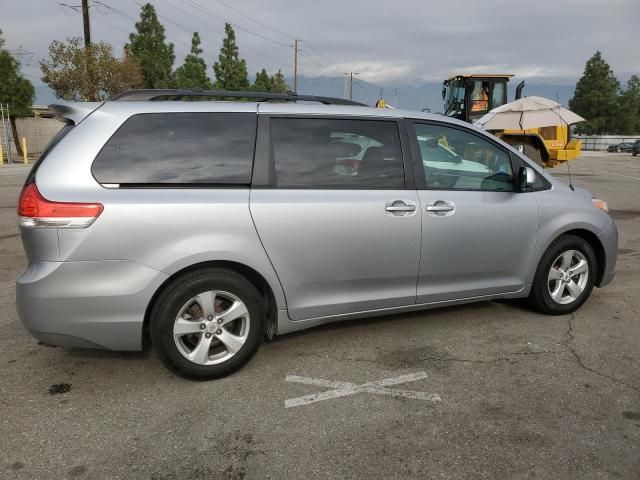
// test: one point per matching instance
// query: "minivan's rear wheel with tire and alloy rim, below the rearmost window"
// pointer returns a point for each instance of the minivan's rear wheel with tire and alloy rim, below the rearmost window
(194, 317)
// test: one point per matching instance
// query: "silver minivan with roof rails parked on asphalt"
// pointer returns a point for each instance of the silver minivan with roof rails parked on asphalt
(205, 226)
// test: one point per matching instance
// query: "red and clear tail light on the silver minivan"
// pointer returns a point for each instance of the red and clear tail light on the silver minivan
(36, 211)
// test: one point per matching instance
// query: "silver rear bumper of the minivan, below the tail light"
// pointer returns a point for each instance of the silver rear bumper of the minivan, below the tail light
(94, 304)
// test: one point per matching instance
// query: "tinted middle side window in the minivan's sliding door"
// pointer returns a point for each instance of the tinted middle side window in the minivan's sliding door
(337, 153)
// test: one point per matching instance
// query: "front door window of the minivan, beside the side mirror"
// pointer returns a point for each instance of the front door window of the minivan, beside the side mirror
(459, 160)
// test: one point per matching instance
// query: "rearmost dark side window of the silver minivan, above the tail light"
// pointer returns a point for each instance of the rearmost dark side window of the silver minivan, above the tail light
(179, 148)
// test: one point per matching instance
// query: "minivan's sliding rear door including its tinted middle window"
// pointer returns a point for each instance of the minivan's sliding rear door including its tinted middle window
(337, 223)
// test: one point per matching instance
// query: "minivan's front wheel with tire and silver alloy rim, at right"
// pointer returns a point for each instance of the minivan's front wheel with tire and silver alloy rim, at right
(555, 296)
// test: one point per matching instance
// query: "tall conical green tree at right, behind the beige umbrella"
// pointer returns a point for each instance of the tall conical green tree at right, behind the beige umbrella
(596, 98)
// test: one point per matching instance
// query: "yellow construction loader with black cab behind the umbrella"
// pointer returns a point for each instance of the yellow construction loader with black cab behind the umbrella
(468, 97)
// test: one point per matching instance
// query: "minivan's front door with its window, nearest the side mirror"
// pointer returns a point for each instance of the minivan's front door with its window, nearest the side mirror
(478, 234)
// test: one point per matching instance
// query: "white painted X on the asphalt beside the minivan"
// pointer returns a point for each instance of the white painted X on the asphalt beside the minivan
(343, 389)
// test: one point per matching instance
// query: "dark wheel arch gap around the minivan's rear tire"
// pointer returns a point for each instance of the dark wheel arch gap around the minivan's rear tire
(252, 275)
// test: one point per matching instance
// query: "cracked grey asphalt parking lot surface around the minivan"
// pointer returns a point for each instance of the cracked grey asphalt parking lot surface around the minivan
(489, 390)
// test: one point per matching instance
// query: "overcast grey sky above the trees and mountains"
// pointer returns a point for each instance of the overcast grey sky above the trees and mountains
(414, 41)
